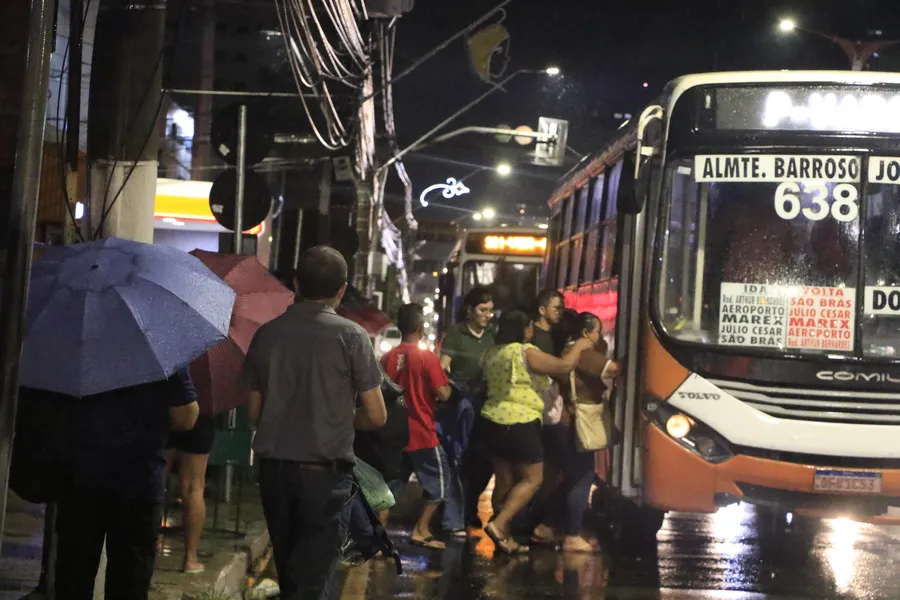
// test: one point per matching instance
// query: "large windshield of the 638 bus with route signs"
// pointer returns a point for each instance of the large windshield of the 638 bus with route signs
(754, 261)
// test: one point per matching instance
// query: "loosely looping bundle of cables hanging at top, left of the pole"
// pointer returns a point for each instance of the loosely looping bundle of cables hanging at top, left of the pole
(324, 45)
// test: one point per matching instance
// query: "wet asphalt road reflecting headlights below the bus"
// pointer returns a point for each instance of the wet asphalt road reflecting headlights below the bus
(726, 555)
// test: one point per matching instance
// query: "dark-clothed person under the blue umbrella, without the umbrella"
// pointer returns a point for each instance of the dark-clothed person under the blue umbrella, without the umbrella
(115, 485)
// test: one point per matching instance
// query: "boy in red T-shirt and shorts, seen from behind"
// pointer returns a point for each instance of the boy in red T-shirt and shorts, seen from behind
(420, 374)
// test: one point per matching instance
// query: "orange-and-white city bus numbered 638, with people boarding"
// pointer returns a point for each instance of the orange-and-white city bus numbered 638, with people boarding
(740, 242)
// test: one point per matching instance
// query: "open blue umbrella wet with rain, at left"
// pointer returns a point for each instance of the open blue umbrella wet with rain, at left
(113, 313)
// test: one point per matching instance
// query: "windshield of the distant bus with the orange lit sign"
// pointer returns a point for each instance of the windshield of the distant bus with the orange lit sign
(511, 284)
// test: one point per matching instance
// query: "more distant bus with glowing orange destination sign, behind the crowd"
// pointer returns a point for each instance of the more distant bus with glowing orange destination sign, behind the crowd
(506, 260)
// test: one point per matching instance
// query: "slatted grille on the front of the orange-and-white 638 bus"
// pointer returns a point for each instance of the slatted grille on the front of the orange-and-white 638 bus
(827, 406)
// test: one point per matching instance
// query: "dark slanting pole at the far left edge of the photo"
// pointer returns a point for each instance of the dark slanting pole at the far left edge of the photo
(27, 32)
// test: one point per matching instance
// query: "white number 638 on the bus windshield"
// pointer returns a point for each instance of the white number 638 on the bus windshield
(843, 206)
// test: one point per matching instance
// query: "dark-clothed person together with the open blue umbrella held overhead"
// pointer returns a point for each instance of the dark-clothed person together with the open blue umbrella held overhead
(110, 327)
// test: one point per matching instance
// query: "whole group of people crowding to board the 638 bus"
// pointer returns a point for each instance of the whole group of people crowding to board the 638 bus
(499, 400)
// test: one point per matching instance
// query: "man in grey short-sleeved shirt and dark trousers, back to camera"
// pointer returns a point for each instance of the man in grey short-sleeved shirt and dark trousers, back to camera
(306, 370)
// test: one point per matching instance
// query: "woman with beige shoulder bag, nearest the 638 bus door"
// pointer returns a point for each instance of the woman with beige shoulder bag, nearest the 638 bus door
(590, 426)
